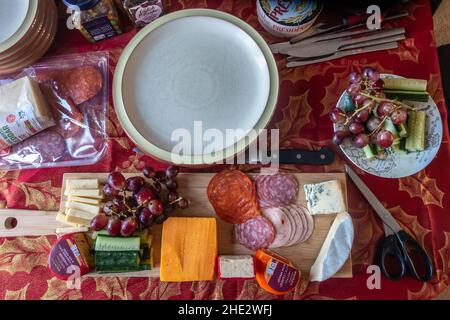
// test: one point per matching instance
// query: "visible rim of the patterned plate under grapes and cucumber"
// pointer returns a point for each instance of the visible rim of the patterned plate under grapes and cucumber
(433, 152)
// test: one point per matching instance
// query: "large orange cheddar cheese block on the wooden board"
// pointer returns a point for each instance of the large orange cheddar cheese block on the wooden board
(188, 249)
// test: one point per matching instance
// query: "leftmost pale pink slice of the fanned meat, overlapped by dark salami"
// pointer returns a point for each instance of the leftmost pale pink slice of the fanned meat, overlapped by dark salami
(281, 224)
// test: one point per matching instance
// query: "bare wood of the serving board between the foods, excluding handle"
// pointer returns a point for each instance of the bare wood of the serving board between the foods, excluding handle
(193, 187)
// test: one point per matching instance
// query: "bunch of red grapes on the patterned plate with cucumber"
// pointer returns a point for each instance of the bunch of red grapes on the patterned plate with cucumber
(364, 124)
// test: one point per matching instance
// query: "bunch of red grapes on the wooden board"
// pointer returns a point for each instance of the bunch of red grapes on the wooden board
(136, 203)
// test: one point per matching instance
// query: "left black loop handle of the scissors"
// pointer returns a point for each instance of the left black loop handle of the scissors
(392, 261)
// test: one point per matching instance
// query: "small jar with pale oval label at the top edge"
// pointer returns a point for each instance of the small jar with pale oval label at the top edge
(142, 12)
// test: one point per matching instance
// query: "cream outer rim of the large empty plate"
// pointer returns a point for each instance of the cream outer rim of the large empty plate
(119, 104)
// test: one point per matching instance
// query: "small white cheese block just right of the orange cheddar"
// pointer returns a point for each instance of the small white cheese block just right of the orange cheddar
(236, 267)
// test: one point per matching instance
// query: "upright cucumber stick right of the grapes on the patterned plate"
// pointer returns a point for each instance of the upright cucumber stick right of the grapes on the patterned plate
(416, 128)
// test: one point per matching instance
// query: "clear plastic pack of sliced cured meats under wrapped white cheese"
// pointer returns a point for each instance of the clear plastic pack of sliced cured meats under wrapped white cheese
(75, 89)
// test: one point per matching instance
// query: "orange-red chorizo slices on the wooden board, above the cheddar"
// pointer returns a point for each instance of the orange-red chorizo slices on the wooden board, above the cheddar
(233, 196)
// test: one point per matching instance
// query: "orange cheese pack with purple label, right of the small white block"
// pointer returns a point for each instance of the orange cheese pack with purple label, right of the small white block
(275, 274)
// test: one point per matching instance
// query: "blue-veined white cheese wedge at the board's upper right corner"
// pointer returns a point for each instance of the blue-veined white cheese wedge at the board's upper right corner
(325, 197)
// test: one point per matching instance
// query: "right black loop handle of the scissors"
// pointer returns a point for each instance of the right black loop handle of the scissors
(416, 259)
